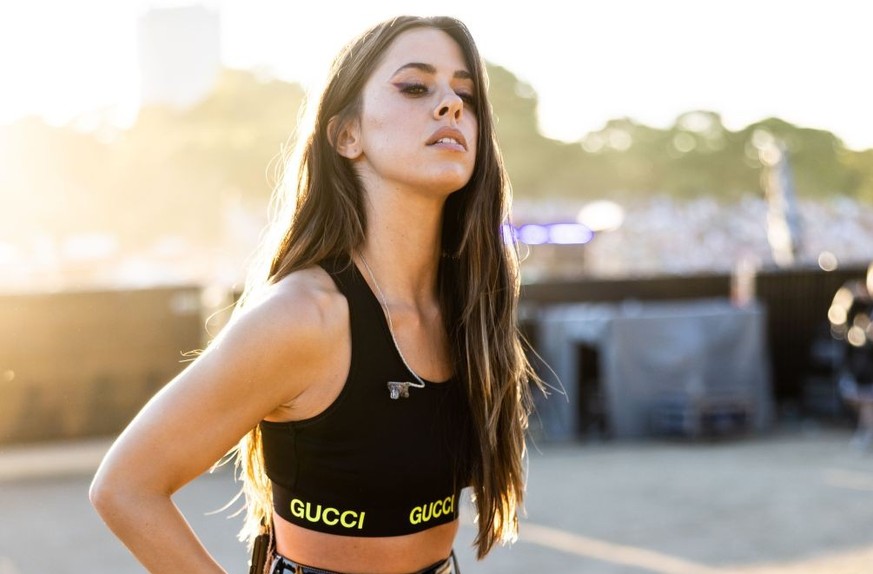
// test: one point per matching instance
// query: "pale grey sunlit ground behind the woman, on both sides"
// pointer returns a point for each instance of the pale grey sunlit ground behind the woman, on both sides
(789, 502)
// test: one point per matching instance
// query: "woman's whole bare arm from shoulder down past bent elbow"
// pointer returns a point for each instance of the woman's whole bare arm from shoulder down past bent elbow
(264, 358)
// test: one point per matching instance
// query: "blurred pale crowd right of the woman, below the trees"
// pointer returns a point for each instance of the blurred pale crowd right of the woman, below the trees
(665, 236)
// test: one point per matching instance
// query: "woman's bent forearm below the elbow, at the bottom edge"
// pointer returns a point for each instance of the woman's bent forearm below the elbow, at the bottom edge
(154, 530)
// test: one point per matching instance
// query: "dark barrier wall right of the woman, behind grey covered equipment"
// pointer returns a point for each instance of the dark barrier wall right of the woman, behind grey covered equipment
(796, 301)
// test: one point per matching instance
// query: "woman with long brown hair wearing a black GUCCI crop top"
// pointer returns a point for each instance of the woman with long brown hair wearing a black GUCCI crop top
(375, 369)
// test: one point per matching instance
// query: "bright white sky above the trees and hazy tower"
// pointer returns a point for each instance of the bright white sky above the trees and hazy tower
(588, 61)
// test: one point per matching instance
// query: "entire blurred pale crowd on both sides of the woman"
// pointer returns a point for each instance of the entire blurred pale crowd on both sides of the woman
(644, 238)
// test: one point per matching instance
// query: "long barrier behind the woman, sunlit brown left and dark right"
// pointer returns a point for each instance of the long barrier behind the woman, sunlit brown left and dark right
(82, 363)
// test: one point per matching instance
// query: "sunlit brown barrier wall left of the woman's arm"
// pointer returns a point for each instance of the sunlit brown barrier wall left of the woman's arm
(83, 363)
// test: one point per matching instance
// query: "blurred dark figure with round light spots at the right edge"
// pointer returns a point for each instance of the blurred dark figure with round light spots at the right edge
(851, 318)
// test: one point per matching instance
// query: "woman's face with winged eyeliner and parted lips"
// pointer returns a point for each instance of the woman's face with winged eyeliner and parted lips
(417, 127)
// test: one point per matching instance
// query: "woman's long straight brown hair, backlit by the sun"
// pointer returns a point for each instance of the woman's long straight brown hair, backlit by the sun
(323, 216)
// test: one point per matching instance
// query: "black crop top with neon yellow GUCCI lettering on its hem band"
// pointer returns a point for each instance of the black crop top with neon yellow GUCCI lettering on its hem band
(370, 465)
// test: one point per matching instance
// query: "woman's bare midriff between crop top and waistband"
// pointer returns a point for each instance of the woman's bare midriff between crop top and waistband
(353, 555)
